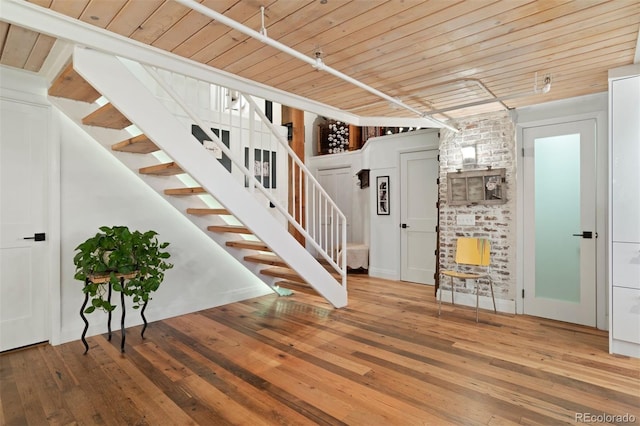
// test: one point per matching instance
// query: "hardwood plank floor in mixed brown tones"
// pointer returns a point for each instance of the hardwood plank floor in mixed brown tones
(386, 359)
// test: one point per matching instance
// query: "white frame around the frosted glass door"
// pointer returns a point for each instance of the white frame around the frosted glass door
(601, 208)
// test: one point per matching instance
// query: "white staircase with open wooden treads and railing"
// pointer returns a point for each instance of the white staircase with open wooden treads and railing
(244, 206)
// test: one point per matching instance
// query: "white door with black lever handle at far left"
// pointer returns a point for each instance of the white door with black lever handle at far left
(24, 289)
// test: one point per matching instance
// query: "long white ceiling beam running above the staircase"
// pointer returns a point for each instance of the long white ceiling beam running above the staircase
(54, 24)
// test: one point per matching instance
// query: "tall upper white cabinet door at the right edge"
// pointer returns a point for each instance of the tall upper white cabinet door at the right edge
(625, 110)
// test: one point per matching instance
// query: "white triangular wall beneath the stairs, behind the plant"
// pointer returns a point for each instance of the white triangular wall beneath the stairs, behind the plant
(96, 190)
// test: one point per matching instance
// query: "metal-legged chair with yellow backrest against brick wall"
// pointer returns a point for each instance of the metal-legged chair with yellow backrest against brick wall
(474, 252)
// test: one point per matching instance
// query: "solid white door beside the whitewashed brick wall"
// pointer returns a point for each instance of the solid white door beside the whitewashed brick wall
(418, 215)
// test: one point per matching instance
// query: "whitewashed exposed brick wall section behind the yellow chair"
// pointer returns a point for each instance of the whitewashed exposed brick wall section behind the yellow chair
(494, 137)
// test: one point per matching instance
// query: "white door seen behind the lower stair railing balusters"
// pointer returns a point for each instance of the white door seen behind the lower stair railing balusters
(339, 186)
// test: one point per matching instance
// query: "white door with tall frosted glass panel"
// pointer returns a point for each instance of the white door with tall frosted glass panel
(560, 222)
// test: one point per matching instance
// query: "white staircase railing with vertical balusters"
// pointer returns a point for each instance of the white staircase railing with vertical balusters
(311, 211)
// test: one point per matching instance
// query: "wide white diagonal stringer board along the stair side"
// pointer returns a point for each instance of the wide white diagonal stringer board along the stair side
(111, 78)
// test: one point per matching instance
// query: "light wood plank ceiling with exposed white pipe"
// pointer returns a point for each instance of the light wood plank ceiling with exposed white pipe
(433, 55)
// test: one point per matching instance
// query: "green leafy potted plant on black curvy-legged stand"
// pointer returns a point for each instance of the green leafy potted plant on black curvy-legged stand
(117, 250)
